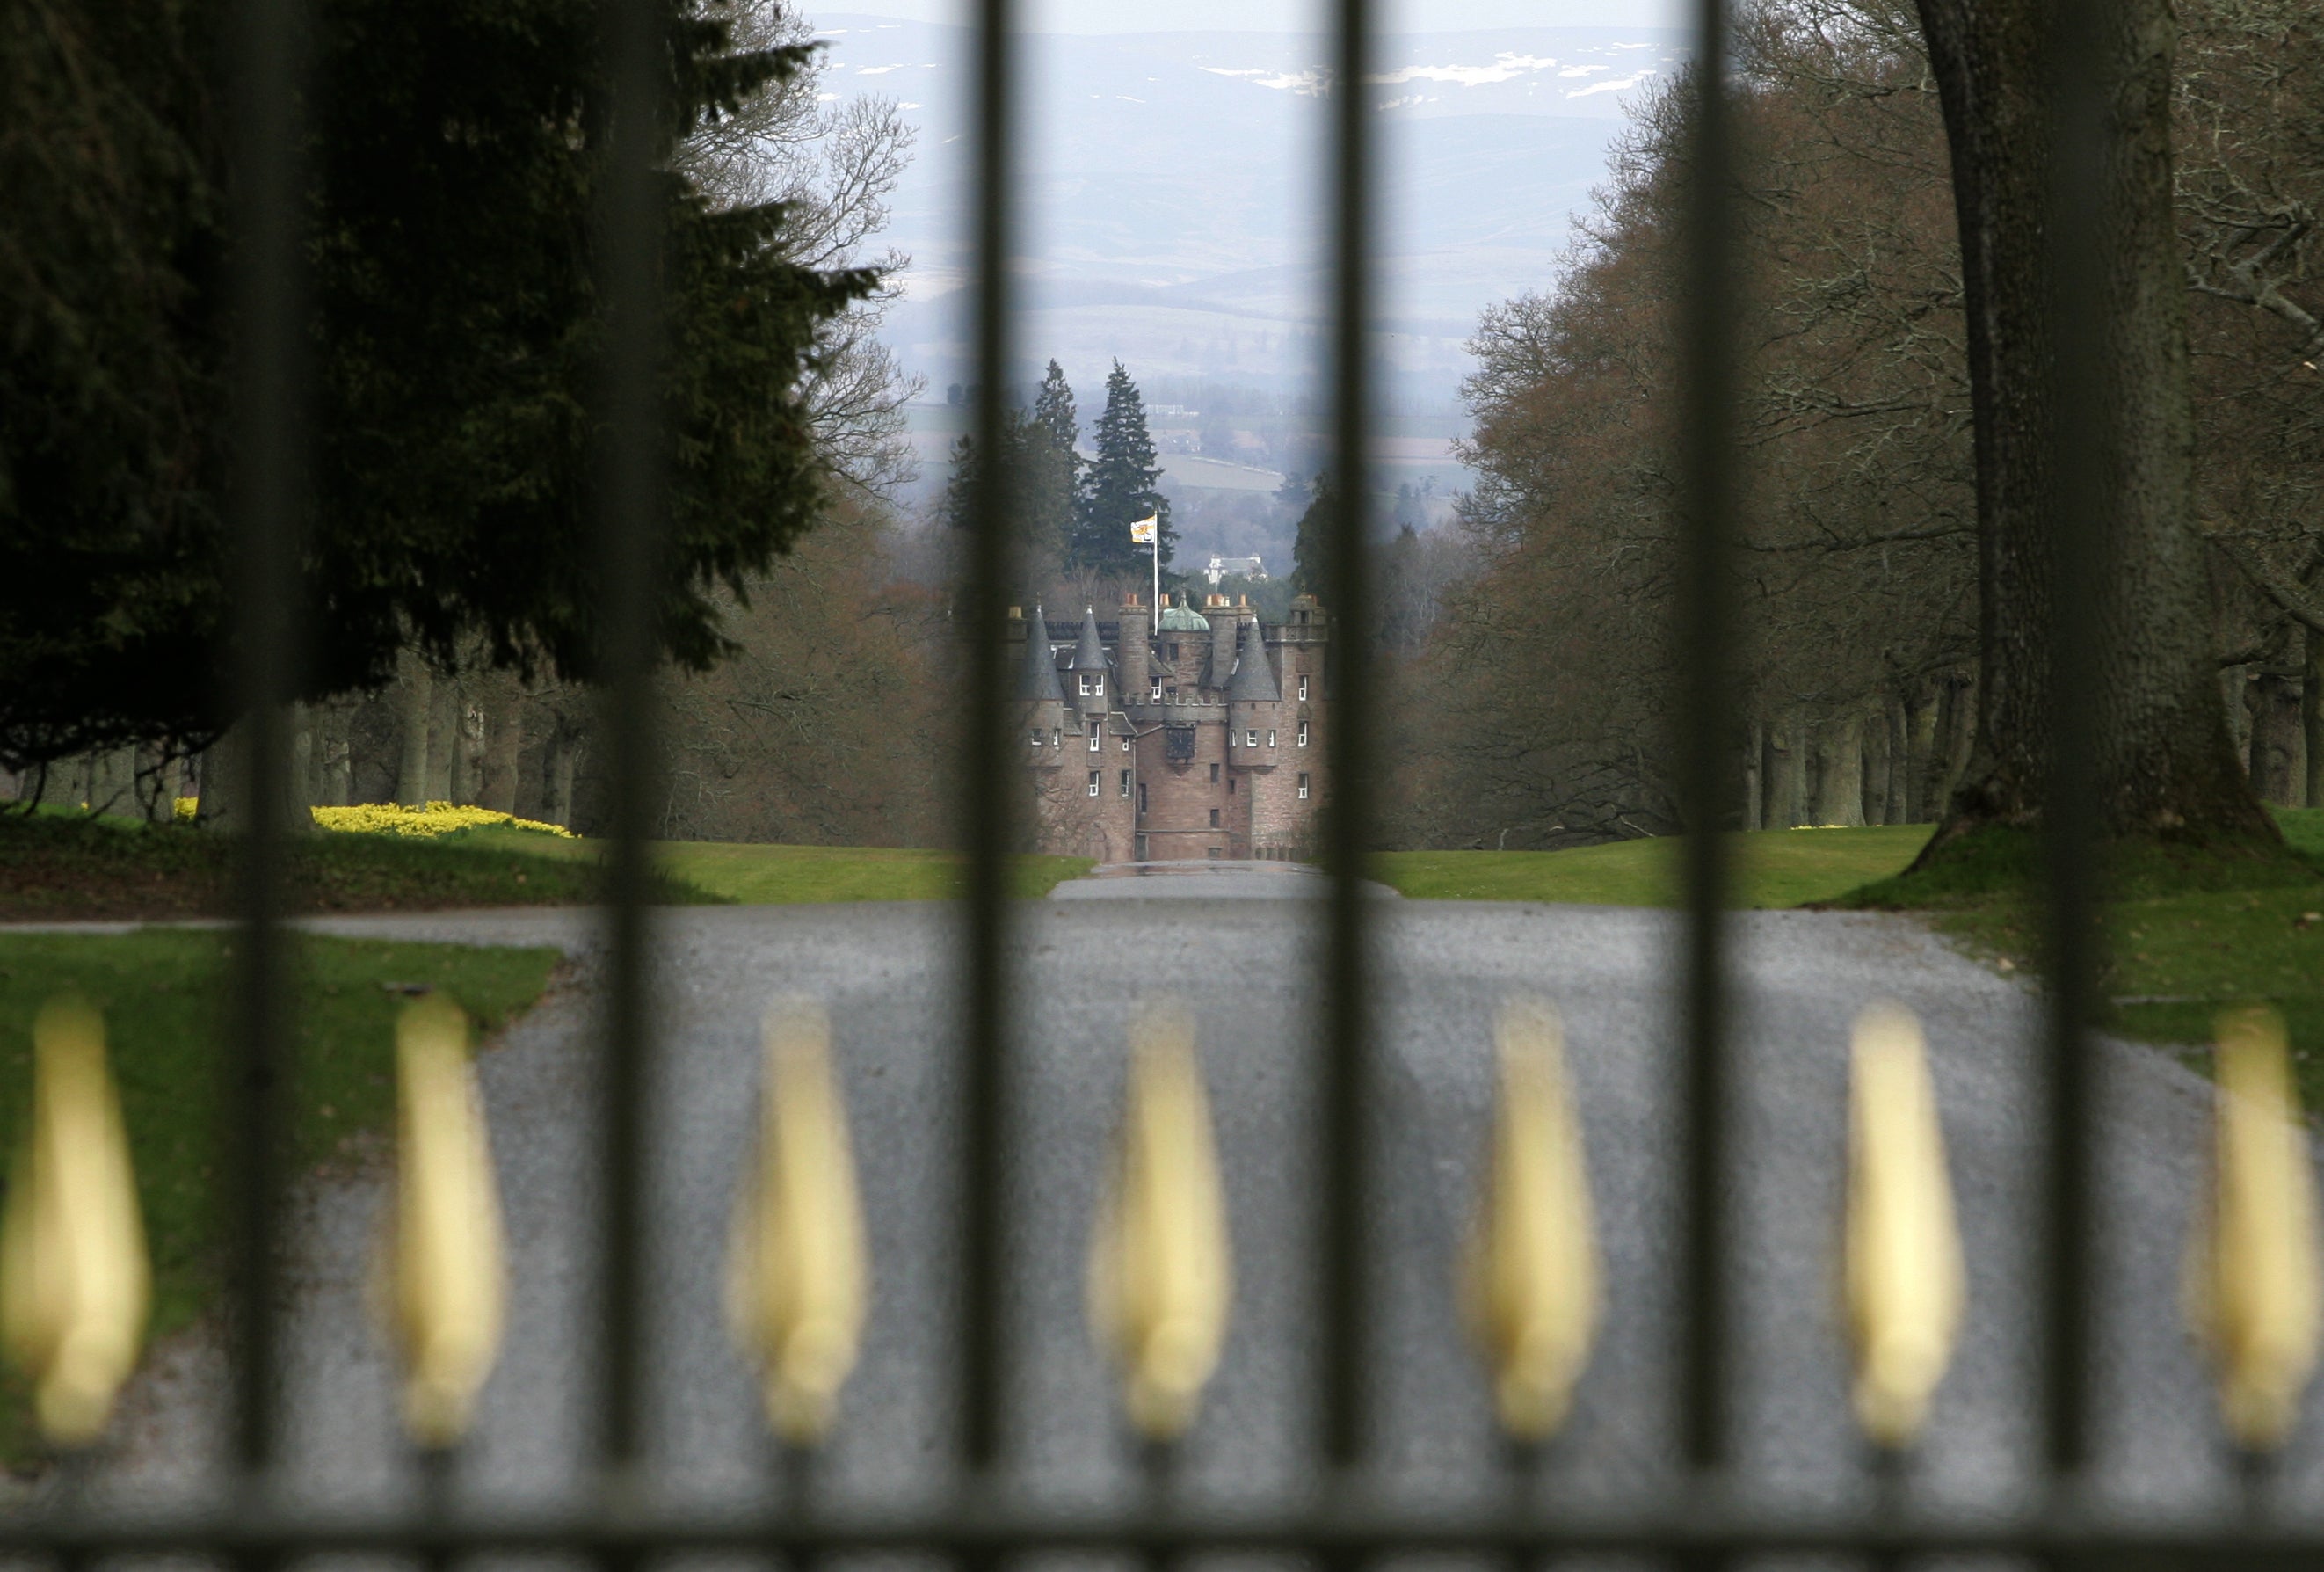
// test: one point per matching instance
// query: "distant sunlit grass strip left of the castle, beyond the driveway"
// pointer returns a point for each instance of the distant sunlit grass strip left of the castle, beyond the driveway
(780, 876)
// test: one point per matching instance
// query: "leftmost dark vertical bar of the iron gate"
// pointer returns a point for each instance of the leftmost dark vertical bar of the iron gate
(271, 494)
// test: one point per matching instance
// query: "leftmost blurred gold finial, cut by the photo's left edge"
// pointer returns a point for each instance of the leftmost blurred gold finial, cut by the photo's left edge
(76, 1285)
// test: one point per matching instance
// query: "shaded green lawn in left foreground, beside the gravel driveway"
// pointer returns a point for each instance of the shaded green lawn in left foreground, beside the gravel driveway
(164, 999)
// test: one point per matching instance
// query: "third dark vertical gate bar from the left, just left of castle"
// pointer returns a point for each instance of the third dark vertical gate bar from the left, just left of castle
(991, 829)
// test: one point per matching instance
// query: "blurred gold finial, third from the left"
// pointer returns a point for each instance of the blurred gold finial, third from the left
(798, 1278)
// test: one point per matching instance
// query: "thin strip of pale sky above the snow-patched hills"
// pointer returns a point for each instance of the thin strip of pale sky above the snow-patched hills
(1286, 15)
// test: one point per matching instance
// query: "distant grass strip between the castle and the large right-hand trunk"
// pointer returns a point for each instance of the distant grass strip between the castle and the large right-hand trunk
(1772, 869)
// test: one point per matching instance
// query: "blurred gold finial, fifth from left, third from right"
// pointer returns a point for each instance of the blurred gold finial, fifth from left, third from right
(1530, 1280)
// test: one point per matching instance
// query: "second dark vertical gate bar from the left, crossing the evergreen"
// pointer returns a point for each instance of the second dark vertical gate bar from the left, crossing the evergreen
(629, 599)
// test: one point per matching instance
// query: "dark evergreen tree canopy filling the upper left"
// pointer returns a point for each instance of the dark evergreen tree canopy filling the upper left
(457, 157)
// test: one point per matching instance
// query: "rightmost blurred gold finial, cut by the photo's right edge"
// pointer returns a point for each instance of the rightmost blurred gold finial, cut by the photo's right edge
(2253, 1285)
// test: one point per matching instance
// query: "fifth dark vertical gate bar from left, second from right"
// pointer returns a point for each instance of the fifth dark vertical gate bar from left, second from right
(1709, 787)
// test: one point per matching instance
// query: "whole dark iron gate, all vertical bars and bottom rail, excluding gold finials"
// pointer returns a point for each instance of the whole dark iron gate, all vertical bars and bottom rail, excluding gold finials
(1702, 1517)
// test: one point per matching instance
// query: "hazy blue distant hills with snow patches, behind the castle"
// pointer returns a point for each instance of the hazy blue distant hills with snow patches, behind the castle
(1175, 210)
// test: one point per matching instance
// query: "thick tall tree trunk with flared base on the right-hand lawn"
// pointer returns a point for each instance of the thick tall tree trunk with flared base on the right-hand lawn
(2162, 757)
